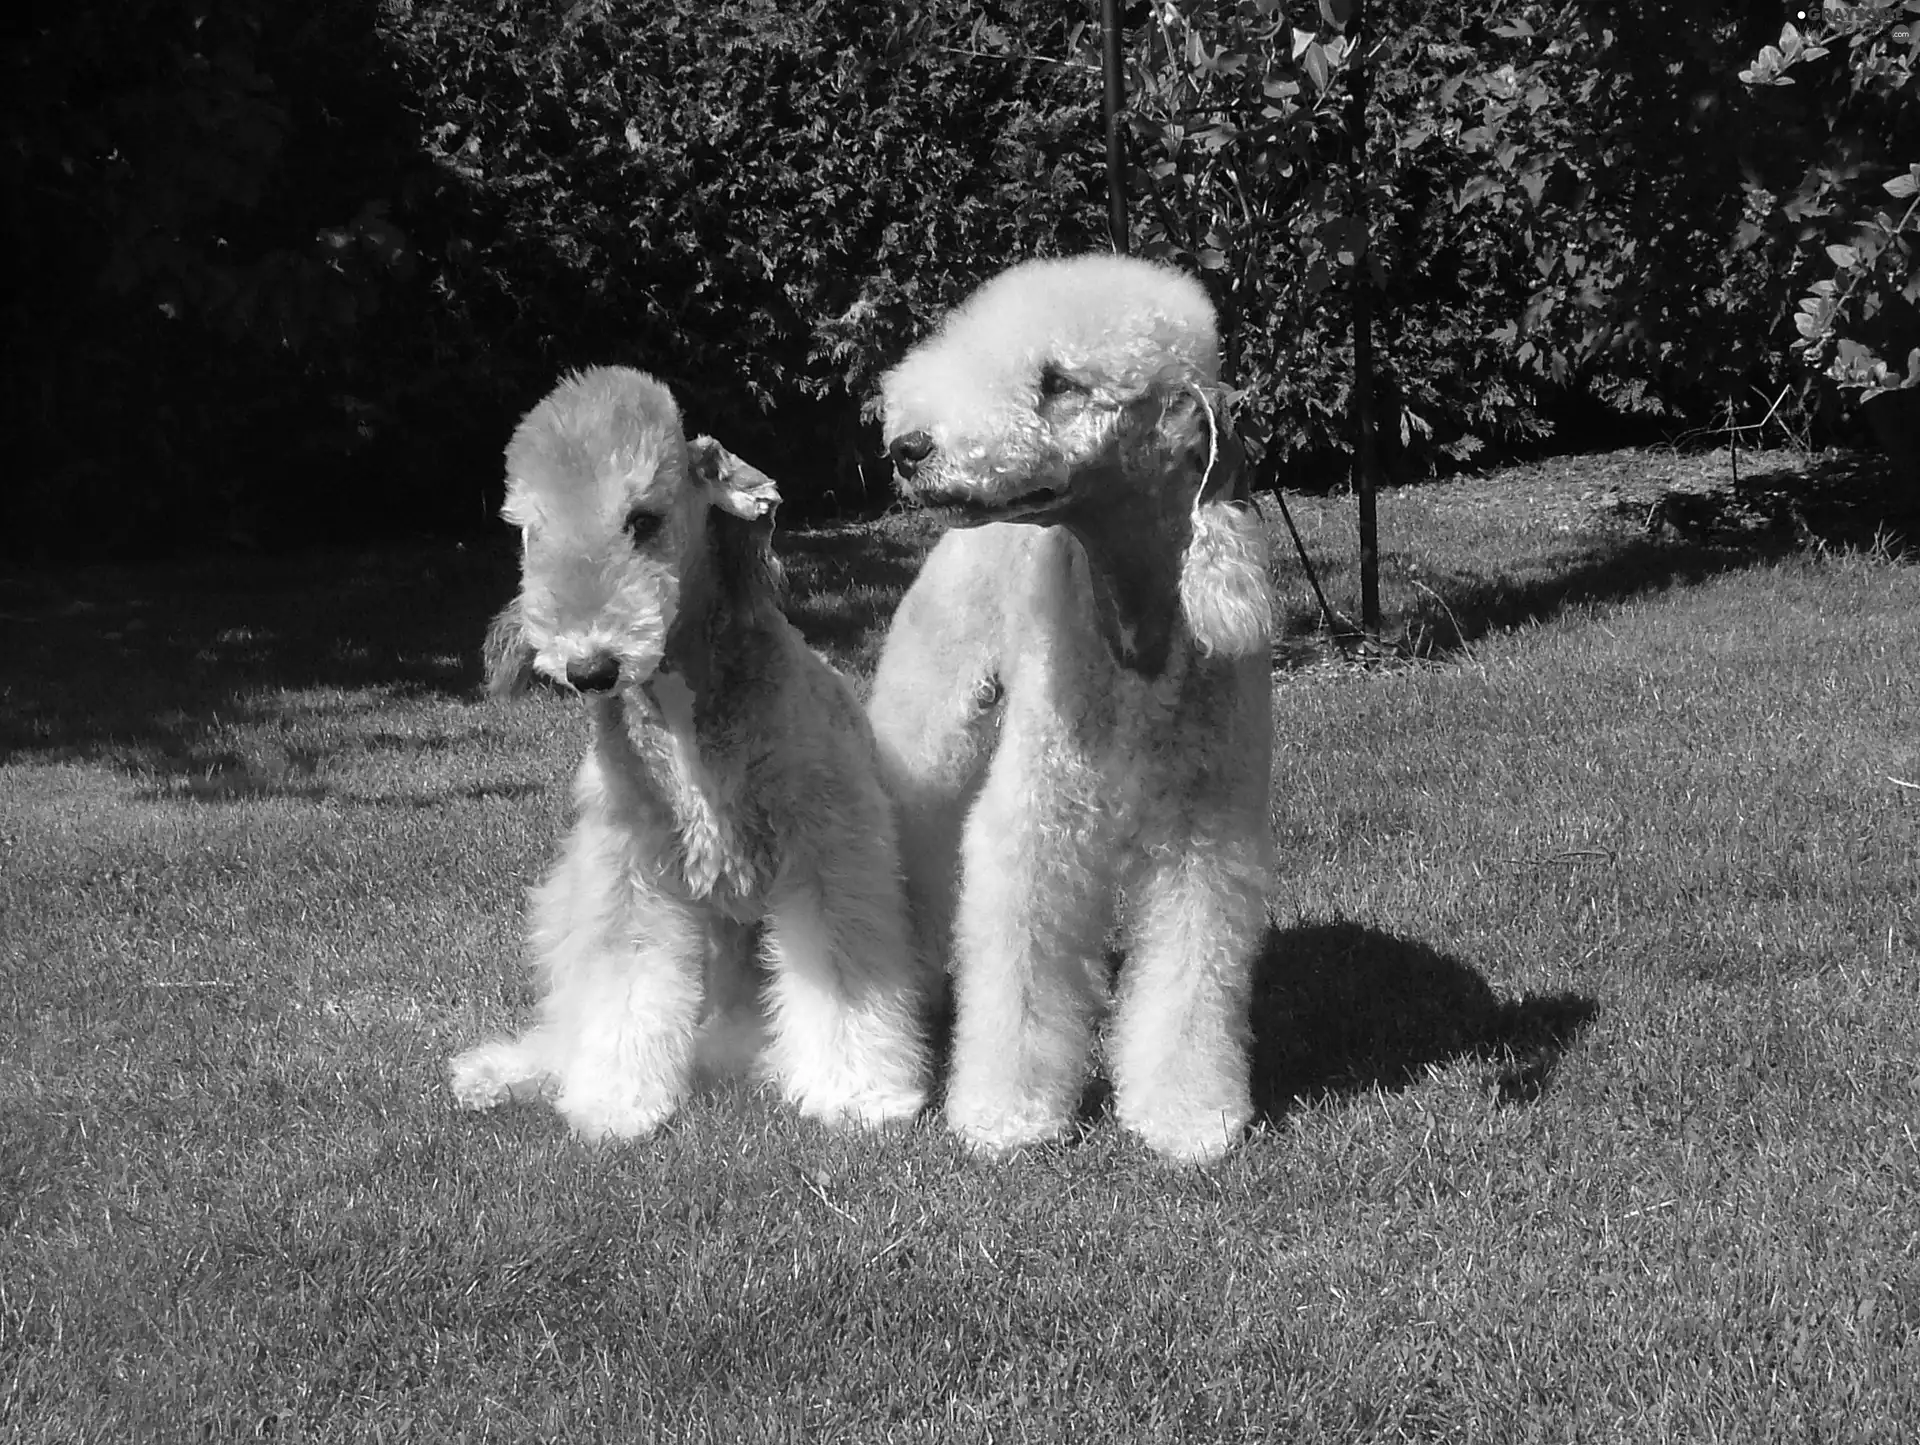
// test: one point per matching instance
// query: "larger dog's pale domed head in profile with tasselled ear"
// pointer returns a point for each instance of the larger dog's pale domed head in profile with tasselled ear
(1086, 392)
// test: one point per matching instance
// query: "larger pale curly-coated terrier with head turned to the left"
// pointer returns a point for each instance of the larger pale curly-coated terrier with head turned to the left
(1074, 703)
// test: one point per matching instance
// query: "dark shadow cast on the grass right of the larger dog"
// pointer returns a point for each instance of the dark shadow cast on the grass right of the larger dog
(1341, 1008)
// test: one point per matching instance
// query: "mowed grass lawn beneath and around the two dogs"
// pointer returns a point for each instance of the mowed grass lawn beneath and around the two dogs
(1587, 1041)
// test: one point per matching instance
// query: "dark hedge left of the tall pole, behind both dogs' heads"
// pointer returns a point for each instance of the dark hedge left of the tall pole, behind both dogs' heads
(299, 268)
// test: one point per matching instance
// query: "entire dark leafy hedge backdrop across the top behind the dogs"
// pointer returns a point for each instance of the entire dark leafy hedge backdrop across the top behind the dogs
(293, 272)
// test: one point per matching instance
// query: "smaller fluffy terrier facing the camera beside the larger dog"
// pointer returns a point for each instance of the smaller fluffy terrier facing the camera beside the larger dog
(732, 782)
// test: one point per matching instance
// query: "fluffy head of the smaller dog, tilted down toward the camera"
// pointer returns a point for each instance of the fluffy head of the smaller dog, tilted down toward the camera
(621, 521)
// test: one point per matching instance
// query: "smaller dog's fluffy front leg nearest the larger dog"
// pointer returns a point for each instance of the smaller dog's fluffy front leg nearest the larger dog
(848, 991)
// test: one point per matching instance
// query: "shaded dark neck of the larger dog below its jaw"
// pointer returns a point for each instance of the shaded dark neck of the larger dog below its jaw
(1136, 538)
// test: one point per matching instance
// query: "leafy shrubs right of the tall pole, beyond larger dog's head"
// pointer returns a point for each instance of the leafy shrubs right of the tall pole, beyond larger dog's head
(1554, 204)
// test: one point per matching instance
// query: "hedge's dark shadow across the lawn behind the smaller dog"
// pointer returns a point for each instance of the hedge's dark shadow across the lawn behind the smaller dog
(143, 661)
